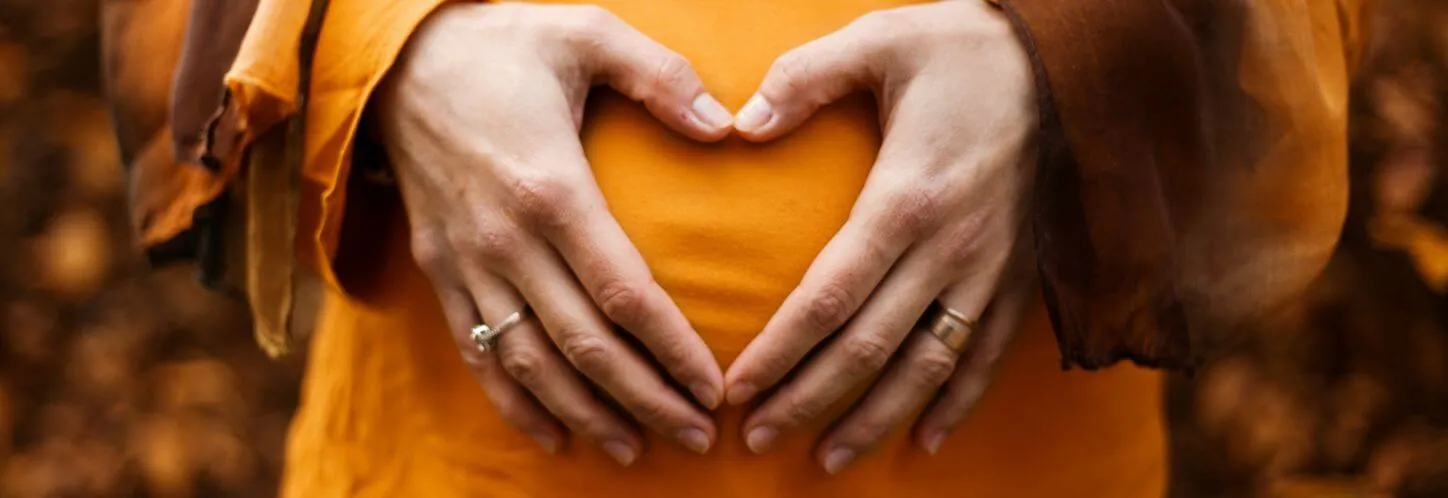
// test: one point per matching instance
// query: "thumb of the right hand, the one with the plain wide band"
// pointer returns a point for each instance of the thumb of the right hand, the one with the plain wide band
(807, 79)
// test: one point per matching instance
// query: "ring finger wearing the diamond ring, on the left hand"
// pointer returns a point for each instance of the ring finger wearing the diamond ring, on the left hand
(526, 355)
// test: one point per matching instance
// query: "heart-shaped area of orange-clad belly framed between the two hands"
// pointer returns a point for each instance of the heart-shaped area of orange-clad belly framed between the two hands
(729, 229)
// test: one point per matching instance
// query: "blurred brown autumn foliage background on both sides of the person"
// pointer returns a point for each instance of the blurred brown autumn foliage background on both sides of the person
(119, 380)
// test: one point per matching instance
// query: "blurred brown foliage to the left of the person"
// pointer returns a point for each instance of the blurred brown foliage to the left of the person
(115, 381)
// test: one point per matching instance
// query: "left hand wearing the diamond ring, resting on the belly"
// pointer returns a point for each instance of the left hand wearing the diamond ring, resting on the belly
(481, 121)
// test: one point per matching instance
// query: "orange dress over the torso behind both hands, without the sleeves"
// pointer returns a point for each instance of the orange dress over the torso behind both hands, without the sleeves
(729, 231)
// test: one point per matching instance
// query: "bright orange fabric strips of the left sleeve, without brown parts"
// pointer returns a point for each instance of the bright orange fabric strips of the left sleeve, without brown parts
(357, 46)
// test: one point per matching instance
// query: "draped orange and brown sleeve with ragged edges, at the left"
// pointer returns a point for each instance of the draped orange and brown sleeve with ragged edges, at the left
(256, 196)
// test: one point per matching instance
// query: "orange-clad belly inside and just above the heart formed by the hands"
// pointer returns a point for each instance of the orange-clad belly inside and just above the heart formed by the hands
(729, 229)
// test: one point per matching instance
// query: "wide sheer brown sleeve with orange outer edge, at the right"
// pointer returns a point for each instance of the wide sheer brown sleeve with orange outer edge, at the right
(1194, 167)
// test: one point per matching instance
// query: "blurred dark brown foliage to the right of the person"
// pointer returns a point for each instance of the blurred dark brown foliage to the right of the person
(1350, 386)
